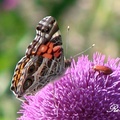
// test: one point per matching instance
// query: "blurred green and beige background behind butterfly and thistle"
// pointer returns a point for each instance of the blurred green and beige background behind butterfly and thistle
(90, 21)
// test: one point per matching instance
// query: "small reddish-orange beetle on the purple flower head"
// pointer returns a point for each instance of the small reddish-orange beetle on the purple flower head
(104, 69)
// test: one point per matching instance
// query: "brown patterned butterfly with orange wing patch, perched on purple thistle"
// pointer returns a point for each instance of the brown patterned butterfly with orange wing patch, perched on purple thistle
(43, 62)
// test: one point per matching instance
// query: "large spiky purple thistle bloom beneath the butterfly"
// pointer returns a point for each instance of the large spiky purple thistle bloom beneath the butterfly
(80, 94)
